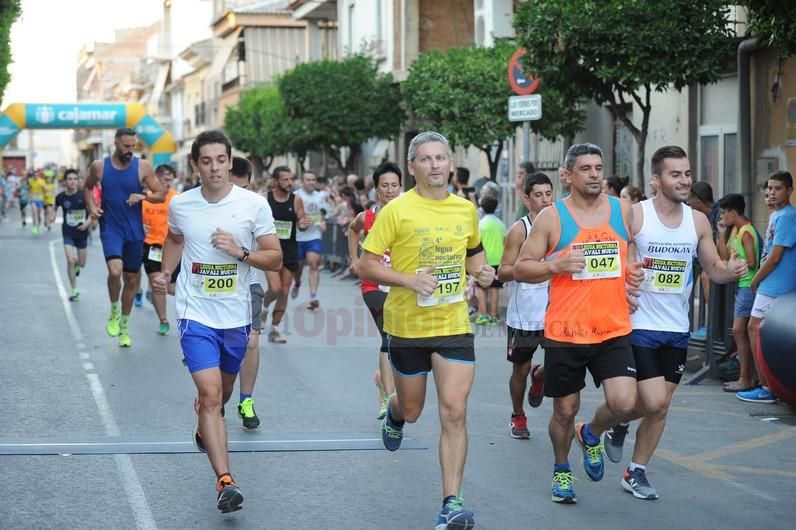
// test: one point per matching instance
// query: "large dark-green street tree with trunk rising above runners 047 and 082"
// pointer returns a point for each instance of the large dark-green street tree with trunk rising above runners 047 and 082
(620, 51)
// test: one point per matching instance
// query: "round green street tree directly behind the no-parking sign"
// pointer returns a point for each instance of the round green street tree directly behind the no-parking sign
(463, 93)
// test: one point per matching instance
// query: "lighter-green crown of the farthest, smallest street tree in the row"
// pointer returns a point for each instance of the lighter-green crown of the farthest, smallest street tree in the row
(256, 124)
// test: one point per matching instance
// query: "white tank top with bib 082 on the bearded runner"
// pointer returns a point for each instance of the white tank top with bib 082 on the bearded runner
(667, 256)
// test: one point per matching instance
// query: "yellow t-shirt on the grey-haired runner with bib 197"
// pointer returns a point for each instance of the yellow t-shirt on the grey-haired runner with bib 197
(423, 233)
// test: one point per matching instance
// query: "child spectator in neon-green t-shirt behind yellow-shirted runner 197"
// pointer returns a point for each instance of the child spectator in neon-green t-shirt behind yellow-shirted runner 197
(493, 238)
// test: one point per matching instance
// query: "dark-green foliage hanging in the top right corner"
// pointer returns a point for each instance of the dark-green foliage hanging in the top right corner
(775, 22)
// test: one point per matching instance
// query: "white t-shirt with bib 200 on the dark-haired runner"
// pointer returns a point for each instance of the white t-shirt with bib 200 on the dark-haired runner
(213, 287)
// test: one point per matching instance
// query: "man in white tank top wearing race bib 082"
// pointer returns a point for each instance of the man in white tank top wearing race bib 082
(667, 235)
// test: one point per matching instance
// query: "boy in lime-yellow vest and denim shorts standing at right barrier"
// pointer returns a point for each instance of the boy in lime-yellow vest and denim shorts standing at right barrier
(741, 238)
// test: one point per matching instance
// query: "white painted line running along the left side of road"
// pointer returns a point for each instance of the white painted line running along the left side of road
(132, 486)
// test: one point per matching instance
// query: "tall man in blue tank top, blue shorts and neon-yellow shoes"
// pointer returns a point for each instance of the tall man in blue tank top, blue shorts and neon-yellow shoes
(123, 178)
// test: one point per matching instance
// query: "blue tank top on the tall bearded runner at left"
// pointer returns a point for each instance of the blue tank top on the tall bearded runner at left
(117, 185)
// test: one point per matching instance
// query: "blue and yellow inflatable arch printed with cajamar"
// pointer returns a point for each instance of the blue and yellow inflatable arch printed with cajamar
(18, 116)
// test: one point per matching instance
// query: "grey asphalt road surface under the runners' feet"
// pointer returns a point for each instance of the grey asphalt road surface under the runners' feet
(65, 384)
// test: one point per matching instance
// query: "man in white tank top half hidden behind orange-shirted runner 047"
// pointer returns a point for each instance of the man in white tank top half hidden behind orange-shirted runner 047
(527, 305)
